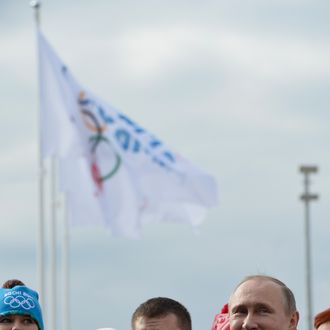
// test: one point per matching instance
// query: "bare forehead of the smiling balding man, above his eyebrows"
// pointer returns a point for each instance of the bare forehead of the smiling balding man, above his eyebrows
(257, 291)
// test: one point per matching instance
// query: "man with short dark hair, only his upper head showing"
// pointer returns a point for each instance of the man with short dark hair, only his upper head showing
(161, 314)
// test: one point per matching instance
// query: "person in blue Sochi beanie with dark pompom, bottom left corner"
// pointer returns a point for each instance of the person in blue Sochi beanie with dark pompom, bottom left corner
(19, 307)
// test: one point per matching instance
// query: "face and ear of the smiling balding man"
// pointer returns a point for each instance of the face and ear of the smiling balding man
(259, 304)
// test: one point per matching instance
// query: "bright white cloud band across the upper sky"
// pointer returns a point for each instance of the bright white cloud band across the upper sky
(146, 55)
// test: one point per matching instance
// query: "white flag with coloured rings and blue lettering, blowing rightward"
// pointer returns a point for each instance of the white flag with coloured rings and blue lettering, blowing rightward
(113, 170)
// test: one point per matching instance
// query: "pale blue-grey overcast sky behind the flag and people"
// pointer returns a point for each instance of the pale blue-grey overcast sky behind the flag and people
(238, 87)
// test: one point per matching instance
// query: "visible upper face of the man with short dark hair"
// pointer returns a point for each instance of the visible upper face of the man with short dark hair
(168, 322)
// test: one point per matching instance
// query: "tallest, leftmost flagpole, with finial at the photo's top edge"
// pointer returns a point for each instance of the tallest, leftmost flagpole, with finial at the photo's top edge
(41, 228)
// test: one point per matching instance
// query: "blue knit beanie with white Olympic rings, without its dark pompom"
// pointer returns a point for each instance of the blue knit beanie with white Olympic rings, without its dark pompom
(21, 300)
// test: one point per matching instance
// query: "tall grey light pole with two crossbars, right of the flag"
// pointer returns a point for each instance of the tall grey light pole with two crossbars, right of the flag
(306, 197)
